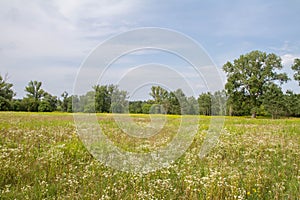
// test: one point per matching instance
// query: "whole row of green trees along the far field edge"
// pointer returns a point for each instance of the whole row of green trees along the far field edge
(253, 87)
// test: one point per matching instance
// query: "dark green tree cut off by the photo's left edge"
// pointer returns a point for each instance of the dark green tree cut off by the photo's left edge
(6, 94)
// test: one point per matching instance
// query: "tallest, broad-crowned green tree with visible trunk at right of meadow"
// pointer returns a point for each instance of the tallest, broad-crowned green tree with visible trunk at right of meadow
(250, 76)
